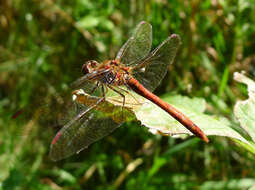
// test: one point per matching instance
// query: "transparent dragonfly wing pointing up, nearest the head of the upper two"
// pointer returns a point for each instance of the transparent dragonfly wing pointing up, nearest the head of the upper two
(138, 46)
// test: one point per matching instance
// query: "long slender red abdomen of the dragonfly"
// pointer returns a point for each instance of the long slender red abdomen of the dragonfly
(184, 120)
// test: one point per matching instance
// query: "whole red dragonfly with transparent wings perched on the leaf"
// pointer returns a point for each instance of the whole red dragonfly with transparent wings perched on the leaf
(136, 68)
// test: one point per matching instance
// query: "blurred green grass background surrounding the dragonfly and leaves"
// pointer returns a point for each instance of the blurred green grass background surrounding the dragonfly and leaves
(42, 47)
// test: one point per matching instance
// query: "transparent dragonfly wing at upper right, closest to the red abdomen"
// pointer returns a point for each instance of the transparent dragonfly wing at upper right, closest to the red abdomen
(153, 69)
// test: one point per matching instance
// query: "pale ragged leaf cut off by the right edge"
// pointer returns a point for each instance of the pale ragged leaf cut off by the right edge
(245, 110)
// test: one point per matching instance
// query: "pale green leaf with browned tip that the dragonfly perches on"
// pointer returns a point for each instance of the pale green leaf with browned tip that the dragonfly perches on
(158, 121)
